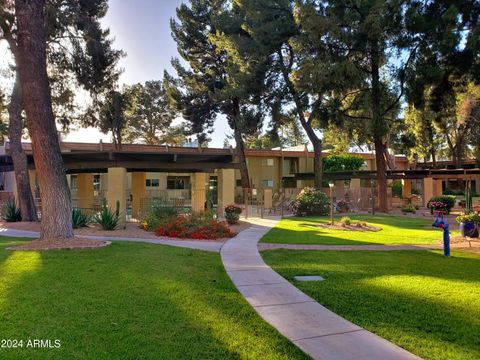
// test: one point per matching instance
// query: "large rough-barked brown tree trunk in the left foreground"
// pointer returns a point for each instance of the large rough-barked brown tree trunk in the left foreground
(54, 191)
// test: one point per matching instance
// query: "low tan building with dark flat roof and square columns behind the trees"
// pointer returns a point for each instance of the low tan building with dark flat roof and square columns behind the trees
(190, 177)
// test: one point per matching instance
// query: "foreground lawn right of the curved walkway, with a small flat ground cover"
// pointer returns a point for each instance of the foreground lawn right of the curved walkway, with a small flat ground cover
(420, 300)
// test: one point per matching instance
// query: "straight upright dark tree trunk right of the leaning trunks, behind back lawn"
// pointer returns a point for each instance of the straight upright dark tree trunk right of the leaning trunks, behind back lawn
(378, 130)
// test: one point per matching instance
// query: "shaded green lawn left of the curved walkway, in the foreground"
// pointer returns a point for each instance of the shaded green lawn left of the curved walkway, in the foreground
(129, 301)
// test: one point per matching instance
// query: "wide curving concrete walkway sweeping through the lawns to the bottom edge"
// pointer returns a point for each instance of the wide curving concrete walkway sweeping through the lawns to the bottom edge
(316, 330)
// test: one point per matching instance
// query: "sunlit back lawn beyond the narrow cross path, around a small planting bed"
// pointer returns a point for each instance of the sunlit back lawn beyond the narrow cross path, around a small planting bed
(394, 230)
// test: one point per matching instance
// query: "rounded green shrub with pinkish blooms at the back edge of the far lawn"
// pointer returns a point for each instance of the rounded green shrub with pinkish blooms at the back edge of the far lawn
(311, 202)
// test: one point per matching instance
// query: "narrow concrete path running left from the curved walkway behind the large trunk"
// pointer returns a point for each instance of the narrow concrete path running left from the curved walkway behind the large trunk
(213, 246)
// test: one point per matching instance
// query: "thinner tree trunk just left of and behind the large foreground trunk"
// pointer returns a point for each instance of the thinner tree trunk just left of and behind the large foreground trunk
(19, 158)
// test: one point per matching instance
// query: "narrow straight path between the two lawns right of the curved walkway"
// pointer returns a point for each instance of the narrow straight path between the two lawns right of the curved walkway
(268, 246)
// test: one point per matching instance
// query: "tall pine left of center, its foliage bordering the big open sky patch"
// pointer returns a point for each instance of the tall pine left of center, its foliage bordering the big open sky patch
(214, 83)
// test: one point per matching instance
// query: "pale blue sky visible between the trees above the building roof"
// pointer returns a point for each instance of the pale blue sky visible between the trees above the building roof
(142, 29)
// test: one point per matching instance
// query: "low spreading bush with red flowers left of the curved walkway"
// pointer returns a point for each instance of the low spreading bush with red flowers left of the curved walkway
(197, 225)
